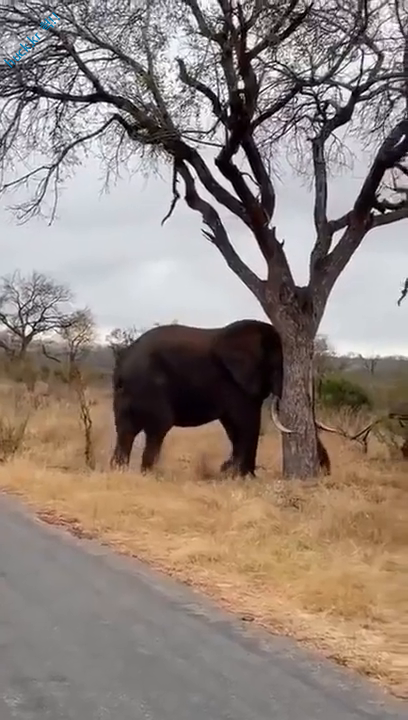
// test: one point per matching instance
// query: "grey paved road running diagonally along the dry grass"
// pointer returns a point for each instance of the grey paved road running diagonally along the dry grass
(86, 635)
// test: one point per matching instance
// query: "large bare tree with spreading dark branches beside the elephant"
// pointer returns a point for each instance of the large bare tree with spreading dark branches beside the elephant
(229, 82)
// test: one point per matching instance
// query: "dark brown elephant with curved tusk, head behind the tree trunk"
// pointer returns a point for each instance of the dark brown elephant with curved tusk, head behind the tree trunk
(177, 375)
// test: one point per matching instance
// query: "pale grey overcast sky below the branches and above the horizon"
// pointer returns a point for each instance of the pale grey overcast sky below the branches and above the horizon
(117, 258)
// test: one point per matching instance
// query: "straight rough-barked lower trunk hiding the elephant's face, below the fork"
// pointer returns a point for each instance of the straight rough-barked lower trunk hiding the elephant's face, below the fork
(300, 457)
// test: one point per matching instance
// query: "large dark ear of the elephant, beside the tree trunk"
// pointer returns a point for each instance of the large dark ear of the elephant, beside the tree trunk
(239, 349)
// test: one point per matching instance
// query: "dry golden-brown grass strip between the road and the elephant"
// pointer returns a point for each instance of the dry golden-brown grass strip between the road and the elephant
(326, 563)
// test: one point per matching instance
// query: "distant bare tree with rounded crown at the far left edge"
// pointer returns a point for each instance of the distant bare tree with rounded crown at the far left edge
(29, 308)
